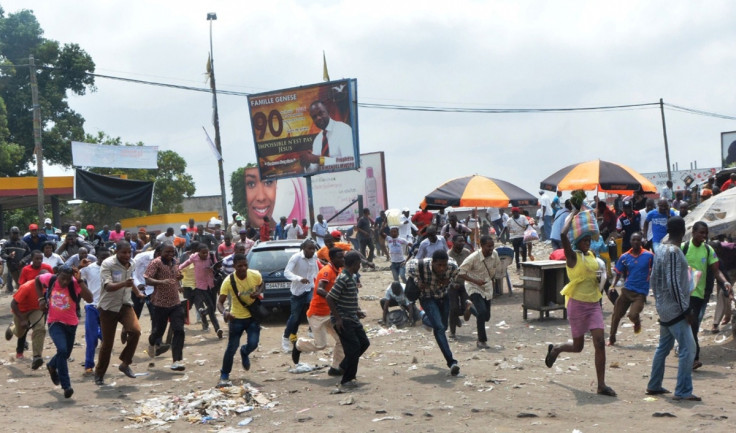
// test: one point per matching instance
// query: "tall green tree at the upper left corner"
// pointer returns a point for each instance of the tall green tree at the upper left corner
(60, 69)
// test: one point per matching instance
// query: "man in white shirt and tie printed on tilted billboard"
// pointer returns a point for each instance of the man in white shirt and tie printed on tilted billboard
(333, 146)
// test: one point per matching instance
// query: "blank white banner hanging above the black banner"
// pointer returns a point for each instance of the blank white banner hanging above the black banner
(103, 155)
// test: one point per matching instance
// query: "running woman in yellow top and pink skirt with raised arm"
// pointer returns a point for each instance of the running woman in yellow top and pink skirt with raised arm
(583, 309)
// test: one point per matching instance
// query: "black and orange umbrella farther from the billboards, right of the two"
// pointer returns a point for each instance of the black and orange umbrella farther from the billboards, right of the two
(598, 175)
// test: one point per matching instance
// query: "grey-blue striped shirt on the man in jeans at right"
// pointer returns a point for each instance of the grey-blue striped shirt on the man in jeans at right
(670, 283)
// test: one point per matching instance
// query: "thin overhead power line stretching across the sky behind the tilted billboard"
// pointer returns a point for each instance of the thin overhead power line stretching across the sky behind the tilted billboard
(438, 109)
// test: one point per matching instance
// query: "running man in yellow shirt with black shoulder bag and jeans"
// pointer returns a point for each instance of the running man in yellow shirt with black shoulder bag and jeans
(248, 287)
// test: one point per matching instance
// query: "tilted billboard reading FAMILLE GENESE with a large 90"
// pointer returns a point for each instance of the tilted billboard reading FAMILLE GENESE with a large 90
(306, 130)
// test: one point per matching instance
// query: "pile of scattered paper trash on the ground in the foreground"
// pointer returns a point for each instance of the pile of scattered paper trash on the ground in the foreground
(210, 405)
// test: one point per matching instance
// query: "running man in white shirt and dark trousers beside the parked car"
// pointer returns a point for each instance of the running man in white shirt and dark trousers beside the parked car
(301, 270)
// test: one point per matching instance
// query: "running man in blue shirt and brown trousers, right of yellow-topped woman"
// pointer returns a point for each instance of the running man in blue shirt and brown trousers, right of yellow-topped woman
(635, 266)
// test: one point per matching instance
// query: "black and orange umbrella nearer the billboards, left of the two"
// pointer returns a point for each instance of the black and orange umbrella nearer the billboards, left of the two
(477, 191)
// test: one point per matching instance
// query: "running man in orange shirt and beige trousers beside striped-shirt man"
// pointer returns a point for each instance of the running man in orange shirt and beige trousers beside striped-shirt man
(318, 314)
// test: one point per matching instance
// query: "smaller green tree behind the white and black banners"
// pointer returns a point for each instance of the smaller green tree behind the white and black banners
(172, 184)
